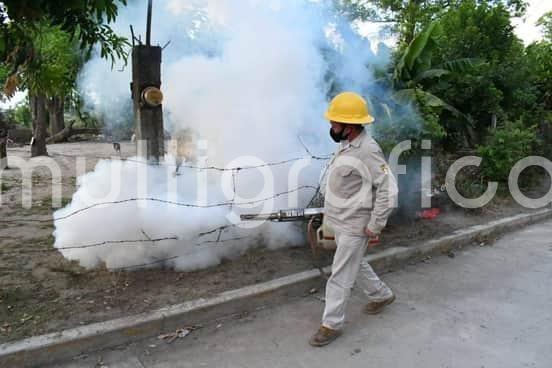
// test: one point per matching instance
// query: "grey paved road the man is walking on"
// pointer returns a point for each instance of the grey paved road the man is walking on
(489, 306)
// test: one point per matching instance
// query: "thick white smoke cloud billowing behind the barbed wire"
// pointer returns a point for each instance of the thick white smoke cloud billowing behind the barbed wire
(249, 78)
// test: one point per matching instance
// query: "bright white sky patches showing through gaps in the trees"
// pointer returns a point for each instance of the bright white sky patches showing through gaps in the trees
(526, 29)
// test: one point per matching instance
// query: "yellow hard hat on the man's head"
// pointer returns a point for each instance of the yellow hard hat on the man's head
(350, 108)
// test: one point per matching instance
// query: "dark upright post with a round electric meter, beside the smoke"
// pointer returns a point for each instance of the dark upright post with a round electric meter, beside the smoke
(147, 96)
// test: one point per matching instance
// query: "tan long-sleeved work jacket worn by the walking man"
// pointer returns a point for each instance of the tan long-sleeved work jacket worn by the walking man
(360, 191)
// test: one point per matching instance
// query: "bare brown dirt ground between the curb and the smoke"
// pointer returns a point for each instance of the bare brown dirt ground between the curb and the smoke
(42, 292)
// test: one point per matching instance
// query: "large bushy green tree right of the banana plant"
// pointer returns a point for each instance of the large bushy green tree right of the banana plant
(498, 88)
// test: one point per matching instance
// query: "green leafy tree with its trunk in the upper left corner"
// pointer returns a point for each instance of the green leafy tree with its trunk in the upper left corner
(38, 66)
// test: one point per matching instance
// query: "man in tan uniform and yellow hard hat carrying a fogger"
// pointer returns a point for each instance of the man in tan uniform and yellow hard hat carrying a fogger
(360, 193)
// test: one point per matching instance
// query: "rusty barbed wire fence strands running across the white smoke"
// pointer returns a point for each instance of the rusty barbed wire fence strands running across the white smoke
(217, 238)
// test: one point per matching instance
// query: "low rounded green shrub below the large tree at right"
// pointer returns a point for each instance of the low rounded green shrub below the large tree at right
(506, 146)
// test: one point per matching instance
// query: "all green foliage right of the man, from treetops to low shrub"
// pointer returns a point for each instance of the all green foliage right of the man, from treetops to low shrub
(461, 69)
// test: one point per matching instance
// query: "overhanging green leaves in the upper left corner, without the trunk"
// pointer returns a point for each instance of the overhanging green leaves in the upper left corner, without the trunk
(84, 22)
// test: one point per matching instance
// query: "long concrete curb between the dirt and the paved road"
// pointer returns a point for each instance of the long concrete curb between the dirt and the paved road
(44, 349)
